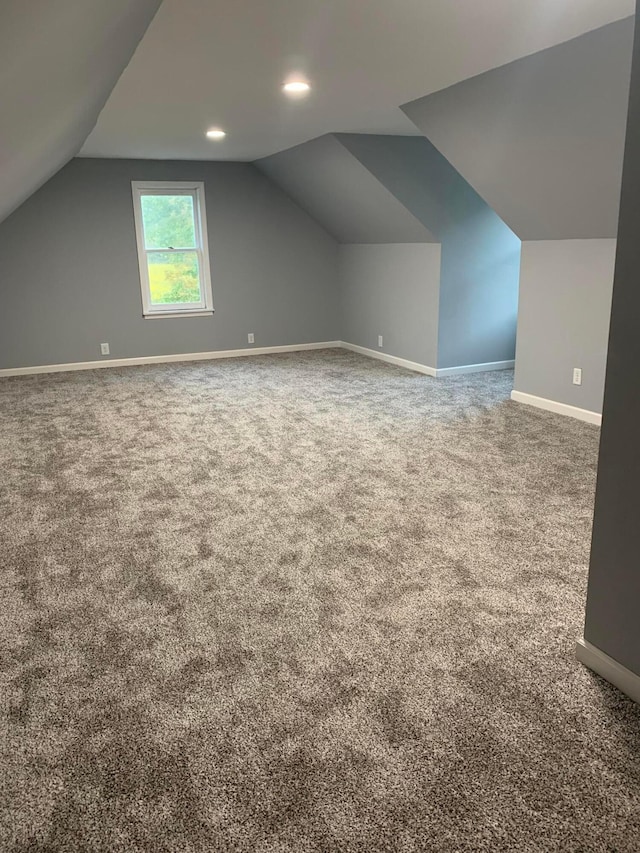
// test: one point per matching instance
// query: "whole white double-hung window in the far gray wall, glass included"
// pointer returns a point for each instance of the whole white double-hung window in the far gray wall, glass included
(171, 228)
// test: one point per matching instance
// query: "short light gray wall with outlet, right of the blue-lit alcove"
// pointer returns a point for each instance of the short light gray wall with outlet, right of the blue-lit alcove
(563, 319)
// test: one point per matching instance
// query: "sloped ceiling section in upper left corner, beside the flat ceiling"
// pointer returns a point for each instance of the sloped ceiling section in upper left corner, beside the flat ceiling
(59, 61)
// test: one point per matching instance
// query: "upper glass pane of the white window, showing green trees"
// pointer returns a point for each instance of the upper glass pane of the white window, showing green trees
(169, 222)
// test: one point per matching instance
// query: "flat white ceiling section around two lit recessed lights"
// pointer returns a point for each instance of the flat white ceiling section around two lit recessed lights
(222, 62)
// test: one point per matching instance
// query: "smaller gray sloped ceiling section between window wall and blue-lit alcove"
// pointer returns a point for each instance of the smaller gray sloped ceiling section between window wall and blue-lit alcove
(342, 195)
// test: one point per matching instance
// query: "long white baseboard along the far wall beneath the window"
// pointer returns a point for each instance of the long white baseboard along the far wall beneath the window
(163, 359)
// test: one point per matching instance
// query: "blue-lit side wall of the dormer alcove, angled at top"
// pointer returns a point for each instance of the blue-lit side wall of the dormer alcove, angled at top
(480, 255)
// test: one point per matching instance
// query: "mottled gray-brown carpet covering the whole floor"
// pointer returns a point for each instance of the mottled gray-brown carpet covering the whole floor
(297, 603)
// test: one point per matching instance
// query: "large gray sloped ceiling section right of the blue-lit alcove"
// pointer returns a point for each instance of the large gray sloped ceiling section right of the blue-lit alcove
(542, 139)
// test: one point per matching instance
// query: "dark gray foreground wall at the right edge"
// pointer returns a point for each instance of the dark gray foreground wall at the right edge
(613, 599)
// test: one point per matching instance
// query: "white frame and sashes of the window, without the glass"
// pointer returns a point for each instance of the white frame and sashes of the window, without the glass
(195, 189)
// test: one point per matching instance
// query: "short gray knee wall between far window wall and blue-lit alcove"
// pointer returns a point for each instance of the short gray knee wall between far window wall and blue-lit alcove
(392, 291)
